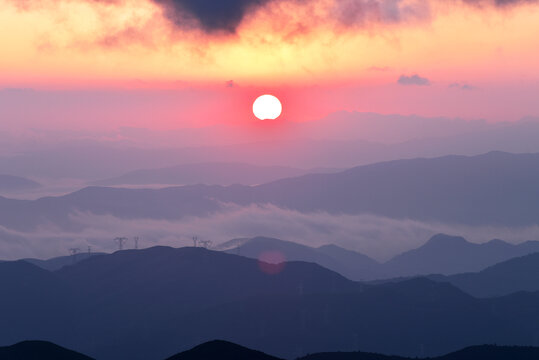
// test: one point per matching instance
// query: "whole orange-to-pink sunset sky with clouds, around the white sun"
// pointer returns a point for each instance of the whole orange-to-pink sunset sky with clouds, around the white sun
(166, 64)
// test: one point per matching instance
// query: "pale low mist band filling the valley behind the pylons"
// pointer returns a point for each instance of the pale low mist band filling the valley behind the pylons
(378, 237)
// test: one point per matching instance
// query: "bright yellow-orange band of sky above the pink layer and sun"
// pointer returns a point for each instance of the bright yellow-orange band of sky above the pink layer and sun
(84, 43)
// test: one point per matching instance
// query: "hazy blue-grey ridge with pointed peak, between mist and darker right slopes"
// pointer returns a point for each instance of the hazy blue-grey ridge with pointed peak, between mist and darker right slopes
(442, 254)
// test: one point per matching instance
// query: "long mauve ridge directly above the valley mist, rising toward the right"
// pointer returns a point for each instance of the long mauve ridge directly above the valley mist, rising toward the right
(491, 189)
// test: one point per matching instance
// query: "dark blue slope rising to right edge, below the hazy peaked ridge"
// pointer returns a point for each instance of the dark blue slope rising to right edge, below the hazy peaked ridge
(519, 274)
